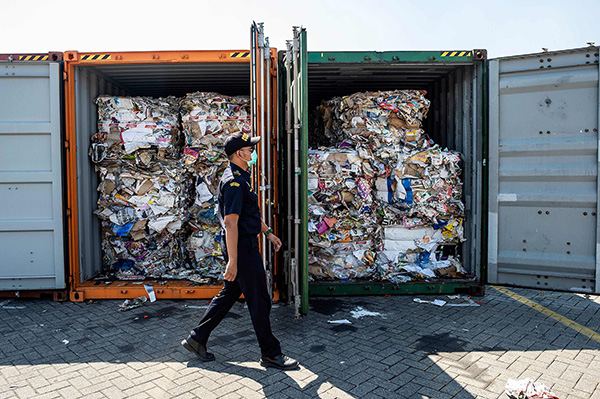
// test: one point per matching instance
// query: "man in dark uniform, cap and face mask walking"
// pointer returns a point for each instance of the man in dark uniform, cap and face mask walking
(239, 215)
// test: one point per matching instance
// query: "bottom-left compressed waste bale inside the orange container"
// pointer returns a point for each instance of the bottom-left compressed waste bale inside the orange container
(142, 215)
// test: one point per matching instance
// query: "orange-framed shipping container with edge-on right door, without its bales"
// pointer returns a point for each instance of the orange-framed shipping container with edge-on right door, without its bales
(155, 74)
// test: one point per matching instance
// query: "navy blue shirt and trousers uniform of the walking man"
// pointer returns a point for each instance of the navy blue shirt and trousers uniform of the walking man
(236, 197)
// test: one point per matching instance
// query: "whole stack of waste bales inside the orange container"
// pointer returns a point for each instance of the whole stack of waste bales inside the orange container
(159, 162)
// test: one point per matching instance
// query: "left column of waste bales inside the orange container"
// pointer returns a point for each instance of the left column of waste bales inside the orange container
(142, 197)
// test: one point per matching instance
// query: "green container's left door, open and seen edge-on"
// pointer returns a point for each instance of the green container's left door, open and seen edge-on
(295, 178)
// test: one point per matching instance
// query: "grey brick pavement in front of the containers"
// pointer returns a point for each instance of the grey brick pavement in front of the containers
(69, 350)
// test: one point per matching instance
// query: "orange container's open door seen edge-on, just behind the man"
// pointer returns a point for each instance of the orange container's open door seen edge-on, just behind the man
(262, 83)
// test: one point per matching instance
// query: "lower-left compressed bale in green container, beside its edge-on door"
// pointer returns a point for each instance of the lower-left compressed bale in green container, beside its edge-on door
(342, 223)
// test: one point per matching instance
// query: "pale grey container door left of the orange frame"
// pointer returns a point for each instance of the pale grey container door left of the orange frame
(31, 201)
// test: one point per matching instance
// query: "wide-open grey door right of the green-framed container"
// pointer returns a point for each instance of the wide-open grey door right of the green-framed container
(543, 172)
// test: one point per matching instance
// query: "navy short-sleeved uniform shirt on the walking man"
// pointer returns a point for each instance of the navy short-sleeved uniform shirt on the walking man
(236, 197)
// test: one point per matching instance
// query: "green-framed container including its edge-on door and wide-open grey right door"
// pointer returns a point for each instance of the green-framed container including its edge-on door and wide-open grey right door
(523, 172)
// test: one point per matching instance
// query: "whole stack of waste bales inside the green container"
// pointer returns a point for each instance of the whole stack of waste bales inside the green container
(380, 182)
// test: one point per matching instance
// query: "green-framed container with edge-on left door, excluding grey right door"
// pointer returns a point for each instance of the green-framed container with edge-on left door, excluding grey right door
(455, 82)
